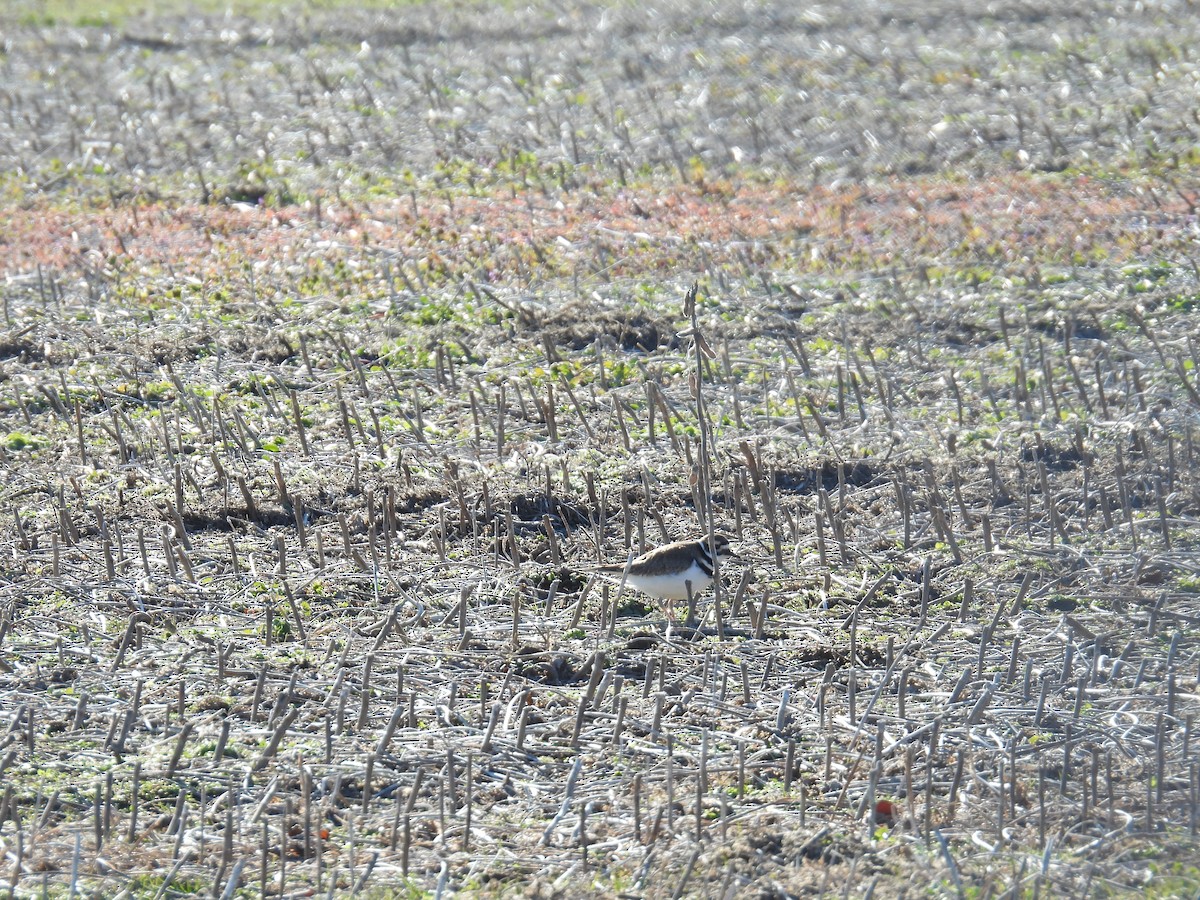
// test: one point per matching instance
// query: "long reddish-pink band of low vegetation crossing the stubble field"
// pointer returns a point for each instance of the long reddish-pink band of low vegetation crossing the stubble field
(1049, 220)
